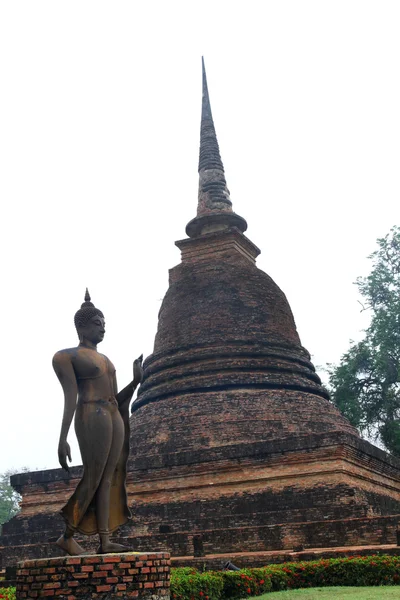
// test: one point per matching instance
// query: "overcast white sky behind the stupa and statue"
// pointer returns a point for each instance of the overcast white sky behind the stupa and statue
(99, 132)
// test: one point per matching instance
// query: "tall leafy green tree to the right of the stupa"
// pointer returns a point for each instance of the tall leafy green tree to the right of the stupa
(366, 384)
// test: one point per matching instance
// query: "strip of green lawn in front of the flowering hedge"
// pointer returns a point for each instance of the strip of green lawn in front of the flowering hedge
(335, 593)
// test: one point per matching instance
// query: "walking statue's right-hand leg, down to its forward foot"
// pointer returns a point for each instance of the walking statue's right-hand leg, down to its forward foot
(103, 507)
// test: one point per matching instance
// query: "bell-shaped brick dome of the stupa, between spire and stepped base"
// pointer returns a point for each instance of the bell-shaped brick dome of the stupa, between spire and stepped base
(227, 344)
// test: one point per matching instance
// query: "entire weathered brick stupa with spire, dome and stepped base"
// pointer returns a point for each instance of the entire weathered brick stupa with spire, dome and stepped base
(235, 445)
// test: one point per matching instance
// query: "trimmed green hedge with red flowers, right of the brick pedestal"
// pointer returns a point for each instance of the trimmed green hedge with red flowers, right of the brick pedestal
(189, 584)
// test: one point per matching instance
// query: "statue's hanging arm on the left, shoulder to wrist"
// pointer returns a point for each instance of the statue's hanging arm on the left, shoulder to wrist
(65, 372)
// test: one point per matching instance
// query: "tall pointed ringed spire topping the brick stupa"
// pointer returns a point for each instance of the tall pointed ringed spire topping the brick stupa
(214, 209)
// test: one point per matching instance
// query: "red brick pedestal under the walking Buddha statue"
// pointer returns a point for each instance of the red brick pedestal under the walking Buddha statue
(103, 576)
